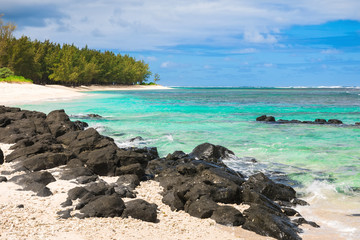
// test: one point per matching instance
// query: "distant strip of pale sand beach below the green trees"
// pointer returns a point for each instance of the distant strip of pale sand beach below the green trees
(14, 94)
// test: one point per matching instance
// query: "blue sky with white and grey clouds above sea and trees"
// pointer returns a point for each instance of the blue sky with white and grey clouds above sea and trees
(268, 43)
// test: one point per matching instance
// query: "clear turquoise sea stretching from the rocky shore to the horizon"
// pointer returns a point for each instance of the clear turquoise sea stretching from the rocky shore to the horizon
(322, 162)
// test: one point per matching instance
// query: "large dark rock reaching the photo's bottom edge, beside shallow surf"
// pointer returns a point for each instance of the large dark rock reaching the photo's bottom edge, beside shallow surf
(267, 222)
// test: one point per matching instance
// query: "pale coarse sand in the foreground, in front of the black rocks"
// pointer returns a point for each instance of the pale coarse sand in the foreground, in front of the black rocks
(38, 218)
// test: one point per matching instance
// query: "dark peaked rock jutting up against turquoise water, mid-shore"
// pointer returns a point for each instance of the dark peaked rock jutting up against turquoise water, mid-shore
(211, 153)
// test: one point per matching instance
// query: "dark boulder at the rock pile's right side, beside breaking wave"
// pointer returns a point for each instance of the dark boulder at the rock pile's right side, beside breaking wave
(274, 191)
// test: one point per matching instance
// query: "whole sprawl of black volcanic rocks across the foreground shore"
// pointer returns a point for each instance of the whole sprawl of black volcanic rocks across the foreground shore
(198, 183)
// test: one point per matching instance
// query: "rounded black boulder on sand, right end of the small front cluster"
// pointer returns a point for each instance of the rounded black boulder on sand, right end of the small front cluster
(140, 209)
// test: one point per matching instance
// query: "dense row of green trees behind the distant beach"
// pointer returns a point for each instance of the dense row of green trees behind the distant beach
(48, 63)
